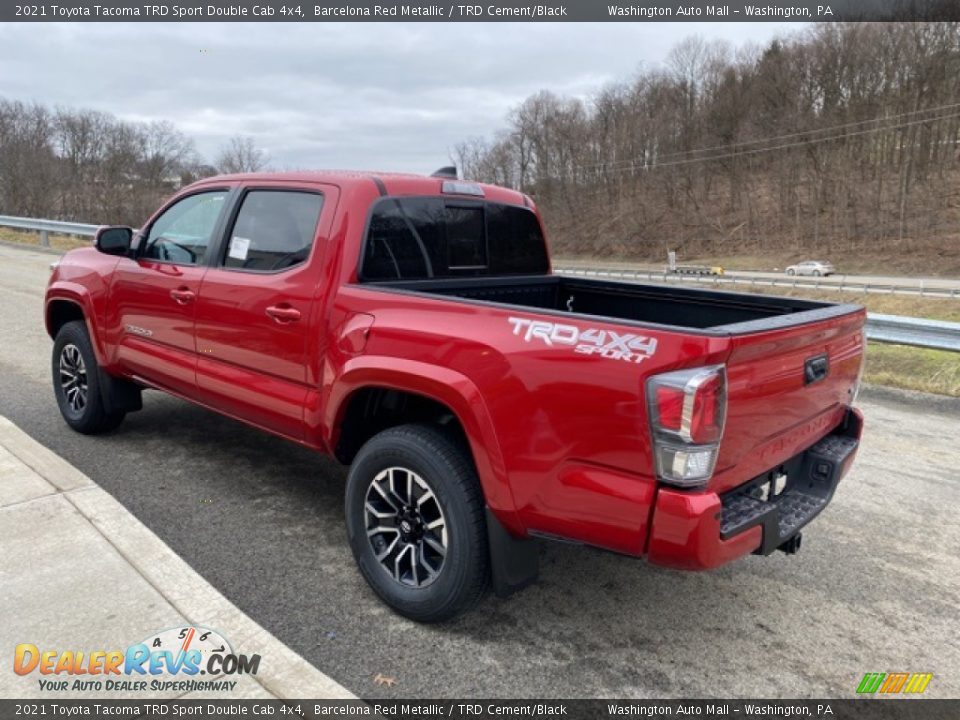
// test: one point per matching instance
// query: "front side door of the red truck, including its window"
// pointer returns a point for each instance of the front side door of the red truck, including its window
(153, 297)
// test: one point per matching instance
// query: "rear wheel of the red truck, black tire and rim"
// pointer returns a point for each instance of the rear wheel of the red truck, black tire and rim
(415, 520)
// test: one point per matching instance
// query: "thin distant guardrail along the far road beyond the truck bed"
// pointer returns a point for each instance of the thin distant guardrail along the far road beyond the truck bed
(844, 284)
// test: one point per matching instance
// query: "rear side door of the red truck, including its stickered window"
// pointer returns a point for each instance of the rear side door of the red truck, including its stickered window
(256, 306)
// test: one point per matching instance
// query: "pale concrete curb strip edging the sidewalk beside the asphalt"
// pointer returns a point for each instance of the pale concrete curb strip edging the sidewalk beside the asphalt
(286, 676)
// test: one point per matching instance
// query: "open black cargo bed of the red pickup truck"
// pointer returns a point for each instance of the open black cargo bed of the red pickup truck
(693, 309)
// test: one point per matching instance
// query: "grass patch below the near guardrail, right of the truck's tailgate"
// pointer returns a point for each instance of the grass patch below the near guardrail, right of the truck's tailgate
(910, 368)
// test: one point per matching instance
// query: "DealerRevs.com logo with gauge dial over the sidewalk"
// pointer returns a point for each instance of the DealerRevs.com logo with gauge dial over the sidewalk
(183, 659)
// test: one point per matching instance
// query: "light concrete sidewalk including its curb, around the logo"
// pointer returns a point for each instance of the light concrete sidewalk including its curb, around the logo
(78, 572)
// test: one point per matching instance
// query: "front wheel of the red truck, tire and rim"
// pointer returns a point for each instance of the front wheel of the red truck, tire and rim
(76, 382)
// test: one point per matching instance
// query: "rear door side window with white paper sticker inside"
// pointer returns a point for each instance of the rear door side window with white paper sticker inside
(274, 230)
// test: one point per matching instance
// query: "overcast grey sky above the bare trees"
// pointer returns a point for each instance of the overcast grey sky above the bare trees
(339, 95)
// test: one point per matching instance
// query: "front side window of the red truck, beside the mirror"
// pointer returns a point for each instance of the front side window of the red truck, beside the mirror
(182, 233)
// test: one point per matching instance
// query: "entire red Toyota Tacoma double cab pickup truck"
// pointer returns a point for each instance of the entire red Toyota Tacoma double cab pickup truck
(411, 327)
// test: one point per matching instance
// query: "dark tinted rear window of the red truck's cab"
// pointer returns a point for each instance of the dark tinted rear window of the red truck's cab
(419, 238)
